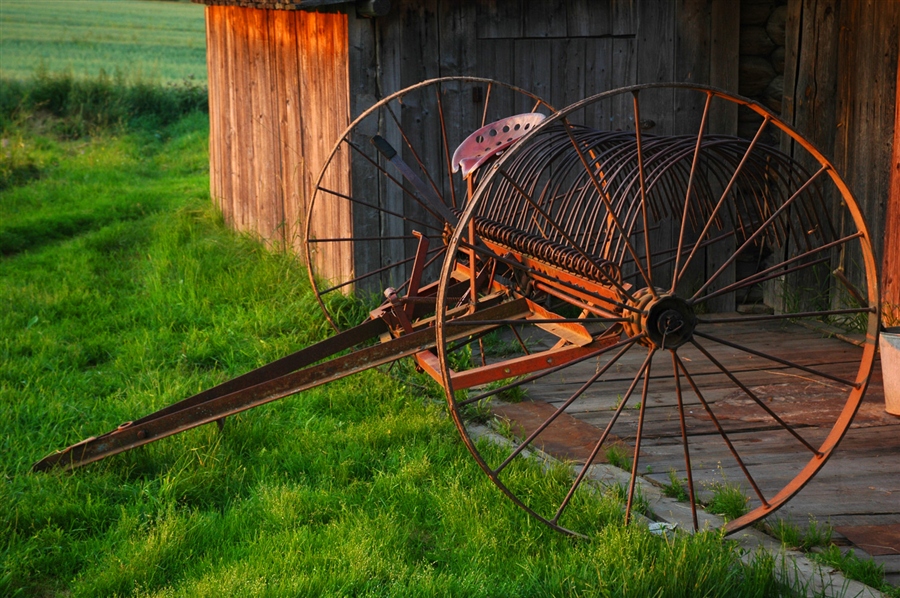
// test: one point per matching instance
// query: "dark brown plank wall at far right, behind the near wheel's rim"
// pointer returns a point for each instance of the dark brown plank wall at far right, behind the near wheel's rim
(840, 91)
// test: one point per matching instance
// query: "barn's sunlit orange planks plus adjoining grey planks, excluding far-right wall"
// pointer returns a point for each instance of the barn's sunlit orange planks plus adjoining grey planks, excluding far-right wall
(284, 83)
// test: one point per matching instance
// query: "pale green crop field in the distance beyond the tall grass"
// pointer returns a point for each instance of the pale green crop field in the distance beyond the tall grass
(139, 39)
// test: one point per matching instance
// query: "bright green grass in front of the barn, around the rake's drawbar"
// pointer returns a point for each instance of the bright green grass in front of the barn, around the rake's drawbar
(138, 295)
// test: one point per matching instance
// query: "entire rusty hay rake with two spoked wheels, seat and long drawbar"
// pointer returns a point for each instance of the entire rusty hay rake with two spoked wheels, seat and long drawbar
(570, 258)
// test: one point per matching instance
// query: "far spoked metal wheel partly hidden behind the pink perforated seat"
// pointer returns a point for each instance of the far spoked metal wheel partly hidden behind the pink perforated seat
(372, 200)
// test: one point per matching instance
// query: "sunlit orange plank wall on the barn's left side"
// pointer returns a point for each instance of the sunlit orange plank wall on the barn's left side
(279, 98)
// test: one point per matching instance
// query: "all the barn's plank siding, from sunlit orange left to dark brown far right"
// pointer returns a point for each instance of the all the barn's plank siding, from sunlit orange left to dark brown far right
(283, 84)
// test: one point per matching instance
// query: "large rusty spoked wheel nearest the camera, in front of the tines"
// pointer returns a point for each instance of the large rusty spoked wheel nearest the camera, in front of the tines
(682, 273)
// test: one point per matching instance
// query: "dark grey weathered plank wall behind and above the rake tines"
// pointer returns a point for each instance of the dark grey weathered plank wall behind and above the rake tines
(563, 51)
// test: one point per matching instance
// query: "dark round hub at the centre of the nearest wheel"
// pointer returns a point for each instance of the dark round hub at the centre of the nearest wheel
(667, 321)
